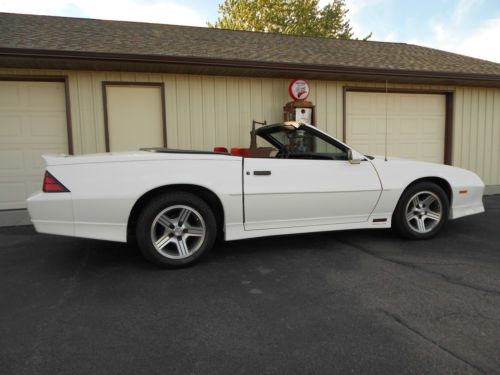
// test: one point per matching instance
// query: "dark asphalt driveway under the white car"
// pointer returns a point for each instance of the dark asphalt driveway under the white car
(339, 302)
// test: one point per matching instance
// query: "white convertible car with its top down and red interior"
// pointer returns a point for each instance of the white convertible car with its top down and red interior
(175, 203)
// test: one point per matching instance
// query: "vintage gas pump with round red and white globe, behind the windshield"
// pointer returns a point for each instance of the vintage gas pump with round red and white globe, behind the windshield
(299, 109)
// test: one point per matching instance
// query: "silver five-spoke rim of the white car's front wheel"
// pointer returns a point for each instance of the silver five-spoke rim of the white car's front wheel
(424, 212)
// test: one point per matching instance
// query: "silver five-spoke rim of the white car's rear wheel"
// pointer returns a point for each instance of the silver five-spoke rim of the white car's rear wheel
(178, 232)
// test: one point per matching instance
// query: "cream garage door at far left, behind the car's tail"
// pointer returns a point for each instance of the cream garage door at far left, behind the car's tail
(32, 123)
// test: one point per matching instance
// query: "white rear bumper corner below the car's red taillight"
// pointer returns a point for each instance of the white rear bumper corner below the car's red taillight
(52, 213)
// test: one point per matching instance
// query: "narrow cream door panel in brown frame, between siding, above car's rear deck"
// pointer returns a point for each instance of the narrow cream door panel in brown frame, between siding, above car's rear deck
(134, 117)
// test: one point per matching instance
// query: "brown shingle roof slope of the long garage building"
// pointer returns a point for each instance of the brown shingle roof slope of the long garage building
(62, 34)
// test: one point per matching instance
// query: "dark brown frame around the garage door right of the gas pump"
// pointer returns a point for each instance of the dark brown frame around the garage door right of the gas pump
(449, 108)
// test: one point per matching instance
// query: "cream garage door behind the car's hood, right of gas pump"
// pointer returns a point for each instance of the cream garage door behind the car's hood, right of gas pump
(415, 124)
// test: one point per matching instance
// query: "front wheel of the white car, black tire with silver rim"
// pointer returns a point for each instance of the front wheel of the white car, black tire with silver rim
(414, 228)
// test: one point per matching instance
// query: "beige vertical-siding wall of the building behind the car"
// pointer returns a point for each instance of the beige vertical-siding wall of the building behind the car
(207, 111)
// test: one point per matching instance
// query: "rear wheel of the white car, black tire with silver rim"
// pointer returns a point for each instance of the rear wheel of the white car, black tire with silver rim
(149, 225)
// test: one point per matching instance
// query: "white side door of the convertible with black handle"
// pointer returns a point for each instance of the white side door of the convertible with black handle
(304, 191)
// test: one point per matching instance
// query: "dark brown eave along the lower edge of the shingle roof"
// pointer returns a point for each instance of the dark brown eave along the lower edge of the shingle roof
(56, 59)
